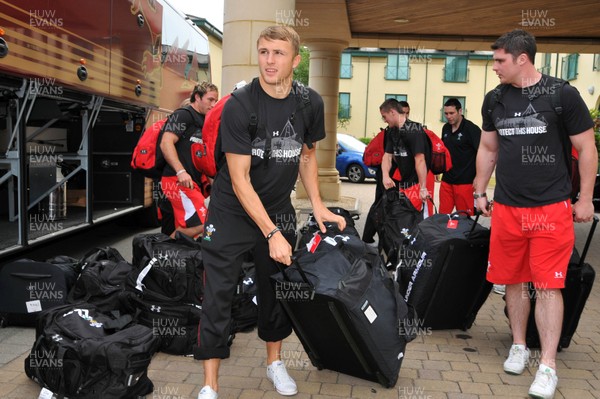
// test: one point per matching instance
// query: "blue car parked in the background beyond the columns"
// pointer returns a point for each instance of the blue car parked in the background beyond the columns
(349, 162)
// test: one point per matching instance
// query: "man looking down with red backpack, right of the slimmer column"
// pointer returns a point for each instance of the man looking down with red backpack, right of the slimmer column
(409, 148)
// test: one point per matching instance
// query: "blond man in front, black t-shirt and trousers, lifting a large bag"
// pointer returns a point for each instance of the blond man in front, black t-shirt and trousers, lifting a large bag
(250, 208)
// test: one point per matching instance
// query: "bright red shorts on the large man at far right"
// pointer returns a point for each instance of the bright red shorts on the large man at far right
(531, 244)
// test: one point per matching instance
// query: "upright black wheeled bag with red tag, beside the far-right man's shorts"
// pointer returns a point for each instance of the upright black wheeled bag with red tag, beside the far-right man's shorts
(442, 270)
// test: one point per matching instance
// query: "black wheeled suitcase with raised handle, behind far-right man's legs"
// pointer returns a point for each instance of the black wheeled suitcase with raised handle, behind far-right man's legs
(578, 286)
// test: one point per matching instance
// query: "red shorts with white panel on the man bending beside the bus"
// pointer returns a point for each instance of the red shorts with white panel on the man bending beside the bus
(188, 204)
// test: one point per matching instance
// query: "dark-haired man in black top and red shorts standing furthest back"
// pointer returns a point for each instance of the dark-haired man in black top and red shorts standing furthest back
(461, 137)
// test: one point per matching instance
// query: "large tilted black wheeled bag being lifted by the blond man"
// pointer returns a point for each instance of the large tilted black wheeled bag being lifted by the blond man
(345, 308)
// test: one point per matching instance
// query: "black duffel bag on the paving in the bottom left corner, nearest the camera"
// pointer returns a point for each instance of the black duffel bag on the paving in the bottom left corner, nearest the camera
(81, 353)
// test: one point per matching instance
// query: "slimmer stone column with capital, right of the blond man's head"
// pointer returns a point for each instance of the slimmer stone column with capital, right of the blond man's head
(324, 74)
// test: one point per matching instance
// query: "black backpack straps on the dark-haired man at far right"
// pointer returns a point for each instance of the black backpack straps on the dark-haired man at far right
(553, 90)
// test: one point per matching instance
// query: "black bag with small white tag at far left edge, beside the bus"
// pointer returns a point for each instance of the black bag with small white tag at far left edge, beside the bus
(27, 287)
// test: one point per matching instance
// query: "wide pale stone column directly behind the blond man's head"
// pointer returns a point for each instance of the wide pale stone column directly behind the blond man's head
(242, 23)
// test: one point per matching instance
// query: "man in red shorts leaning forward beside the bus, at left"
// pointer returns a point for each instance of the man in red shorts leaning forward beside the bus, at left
(181, 180)
